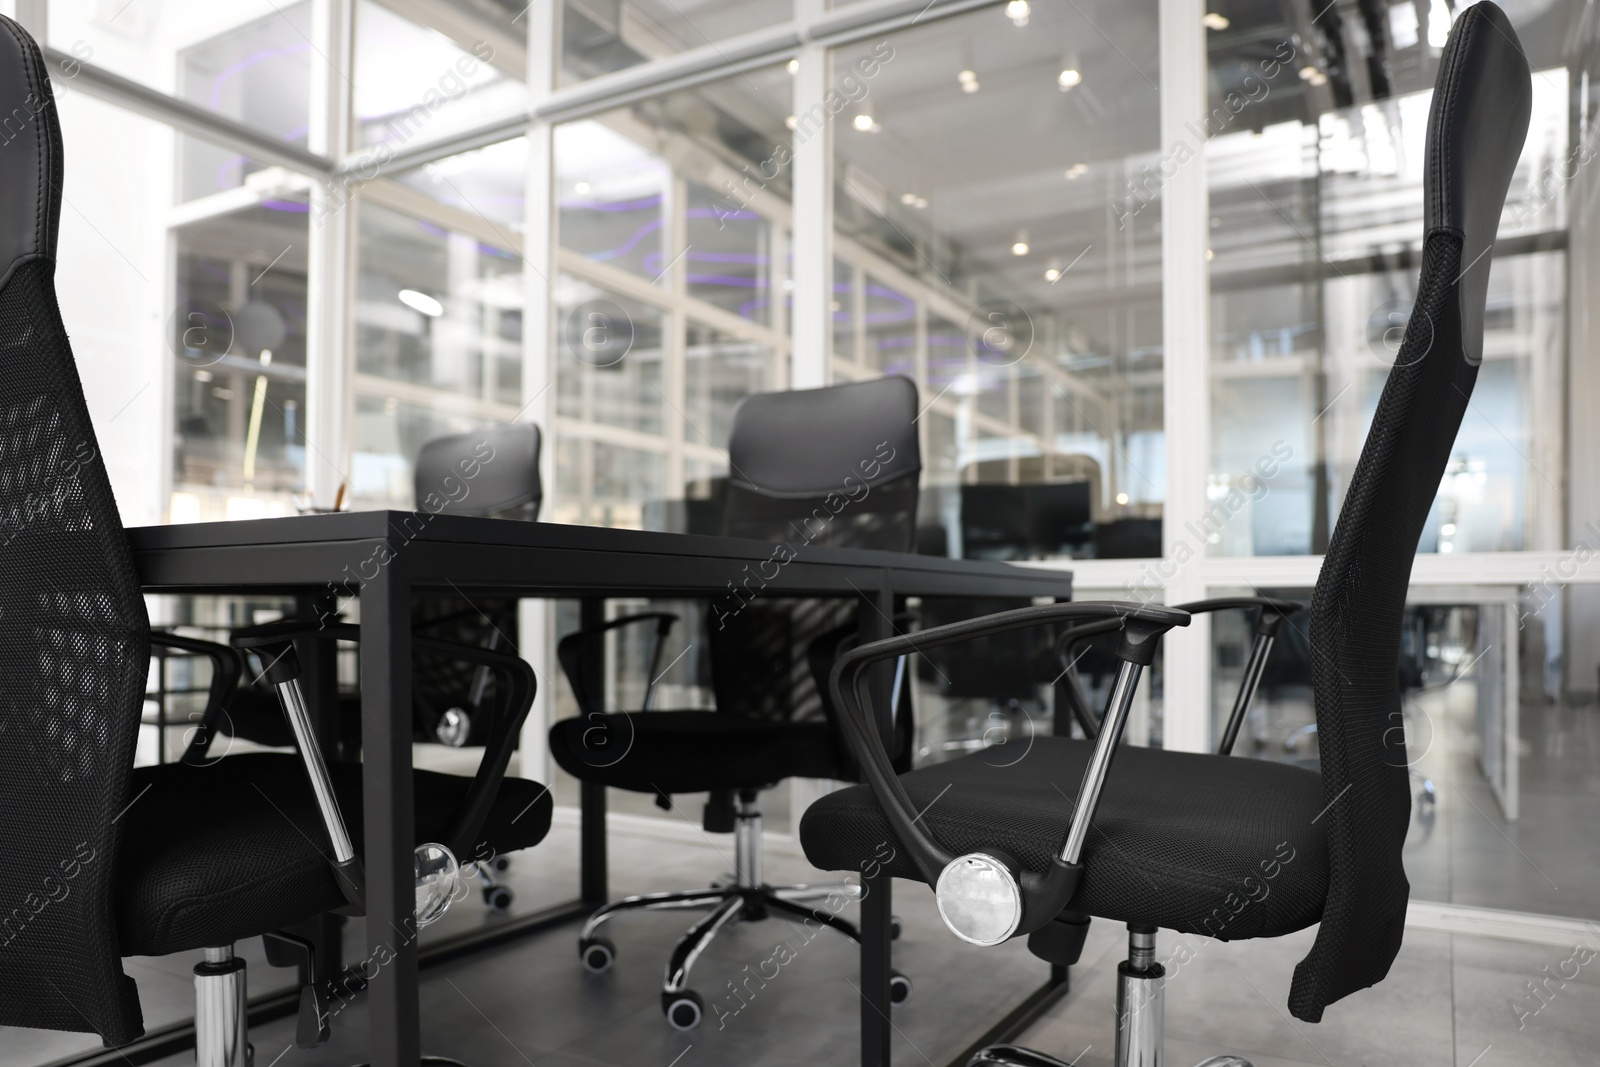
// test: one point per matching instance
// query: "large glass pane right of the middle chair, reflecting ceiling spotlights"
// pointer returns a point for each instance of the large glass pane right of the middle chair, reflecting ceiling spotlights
(982, 158)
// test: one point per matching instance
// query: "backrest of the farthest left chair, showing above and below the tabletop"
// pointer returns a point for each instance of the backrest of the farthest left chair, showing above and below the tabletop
(492, 473)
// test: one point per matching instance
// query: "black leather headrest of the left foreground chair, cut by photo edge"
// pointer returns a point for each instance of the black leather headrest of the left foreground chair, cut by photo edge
(30, 154)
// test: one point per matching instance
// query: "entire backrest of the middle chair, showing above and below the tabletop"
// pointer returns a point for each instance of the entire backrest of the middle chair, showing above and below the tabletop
(834, 468)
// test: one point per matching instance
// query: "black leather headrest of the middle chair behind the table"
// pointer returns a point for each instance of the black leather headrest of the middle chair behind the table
(804, 442)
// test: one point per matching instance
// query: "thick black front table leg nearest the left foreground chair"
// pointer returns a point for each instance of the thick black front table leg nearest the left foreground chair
(390, 815)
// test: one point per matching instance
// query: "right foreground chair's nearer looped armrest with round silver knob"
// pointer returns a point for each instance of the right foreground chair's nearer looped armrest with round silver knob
(1039, 898)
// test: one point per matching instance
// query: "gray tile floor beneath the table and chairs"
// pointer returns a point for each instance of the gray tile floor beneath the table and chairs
(1447, 1002)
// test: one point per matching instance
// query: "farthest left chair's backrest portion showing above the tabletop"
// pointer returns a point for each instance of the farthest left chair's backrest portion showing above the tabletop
(490, 473)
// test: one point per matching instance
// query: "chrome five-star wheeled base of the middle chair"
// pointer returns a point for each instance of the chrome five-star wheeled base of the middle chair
(743, 898)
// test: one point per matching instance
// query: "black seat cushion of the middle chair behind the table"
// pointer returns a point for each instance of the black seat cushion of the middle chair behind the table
(689, 753)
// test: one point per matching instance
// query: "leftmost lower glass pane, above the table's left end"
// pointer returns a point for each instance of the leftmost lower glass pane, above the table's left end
(239, 335)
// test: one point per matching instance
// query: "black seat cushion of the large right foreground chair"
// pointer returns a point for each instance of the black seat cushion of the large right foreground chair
(1222, 847)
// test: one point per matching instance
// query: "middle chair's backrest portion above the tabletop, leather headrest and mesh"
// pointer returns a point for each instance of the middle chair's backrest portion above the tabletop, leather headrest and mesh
(833, 466)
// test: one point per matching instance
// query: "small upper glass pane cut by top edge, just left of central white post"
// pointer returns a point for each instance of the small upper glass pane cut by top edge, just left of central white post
(599, 38)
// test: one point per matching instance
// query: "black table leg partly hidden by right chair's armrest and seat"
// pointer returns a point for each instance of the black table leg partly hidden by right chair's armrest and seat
(874, 621)
